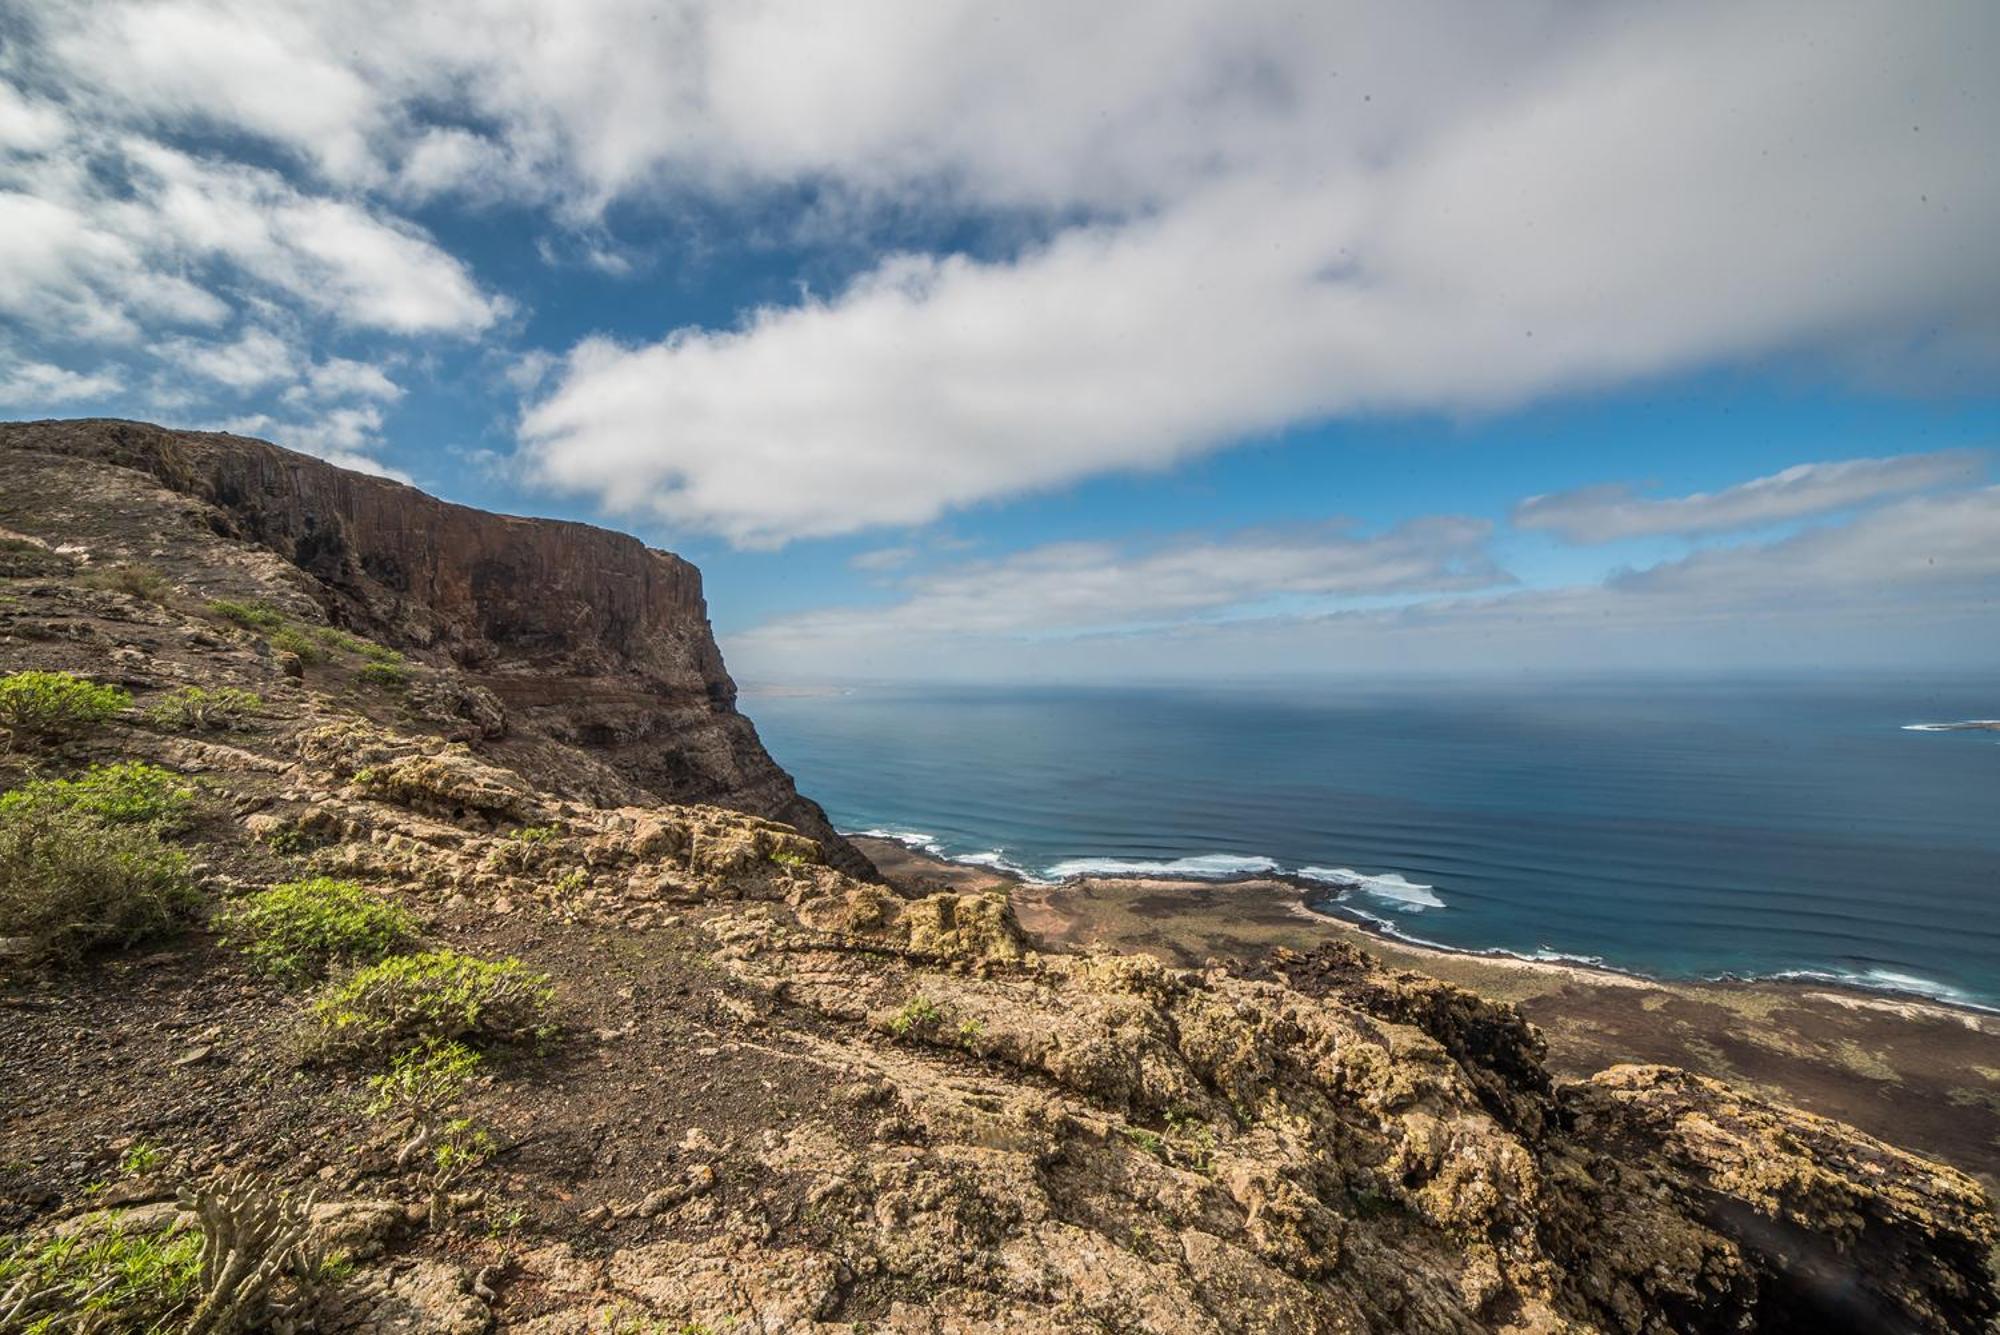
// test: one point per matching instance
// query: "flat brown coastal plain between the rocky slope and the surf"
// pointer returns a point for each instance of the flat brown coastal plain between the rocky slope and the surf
(1913, 1072)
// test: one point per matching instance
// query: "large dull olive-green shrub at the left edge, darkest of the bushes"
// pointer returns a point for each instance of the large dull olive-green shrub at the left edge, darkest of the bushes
(71, 884)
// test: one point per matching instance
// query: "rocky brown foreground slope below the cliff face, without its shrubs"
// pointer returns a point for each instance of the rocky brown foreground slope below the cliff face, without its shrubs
(779, 1098)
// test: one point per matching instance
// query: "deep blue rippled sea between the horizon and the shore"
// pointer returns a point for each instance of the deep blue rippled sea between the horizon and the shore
(1673, 828)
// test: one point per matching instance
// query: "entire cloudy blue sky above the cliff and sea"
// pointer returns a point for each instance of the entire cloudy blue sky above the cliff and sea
(1133, 341)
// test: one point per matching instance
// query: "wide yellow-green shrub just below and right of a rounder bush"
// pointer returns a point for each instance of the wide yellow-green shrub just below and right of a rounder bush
(437, 996)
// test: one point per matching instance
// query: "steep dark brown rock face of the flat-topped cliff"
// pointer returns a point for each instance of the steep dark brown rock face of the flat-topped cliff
(589, 639)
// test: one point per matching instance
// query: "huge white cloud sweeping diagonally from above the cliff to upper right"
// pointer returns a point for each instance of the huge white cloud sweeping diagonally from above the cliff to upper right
(1565, 221)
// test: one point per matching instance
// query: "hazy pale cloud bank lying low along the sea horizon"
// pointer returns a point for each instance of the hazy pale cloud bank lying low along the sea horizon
(1927, 567)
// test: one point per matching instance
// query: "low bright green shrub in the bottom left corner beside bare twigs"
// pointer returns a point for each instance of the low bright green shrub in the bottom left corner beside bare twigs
(101, 1280)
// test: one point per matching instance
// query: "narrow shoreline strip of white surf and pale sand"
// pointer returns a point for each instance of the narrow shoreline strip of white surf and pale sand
(1385, 936)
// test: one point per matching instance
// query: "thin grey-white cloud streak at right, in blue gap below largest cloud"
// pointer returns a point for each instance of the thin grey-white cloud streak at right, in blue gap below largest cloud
(1615, 511)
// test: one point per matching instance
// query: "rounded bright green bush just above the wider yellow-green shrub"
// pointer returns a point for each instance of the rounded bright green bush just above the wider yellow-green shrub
(299, 930)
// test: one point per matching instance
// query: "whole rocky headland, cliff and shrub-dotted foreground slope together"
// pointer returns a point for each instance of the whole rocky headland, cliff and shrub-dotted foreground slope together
(317, 958)
